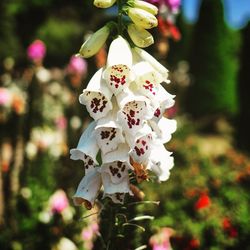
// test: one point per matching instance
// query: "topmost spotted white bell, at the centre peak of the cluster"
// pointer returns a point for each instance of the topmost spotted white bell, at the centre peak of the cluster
(118, 73)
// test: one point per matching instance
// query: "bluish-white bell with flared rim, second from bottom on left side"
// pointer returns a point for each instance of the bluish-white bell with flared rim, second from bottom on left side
(87, 149)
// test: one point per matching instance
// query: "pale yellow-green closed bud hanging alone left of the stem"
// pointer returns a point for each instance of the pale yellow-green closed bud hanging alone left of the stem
(95, 41)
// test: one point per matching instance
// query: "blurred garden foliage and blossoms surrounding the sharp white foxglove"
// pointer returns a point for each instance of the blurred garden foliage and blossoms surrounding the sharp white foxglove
(204, 204)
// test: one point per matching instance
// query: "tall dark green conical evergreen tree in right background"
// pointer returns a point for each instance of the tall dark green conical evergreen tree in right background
(214, 64)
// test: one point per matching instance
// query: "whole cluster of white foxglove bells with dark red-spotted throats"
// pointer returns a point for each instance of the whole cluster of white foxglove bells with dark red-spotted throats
(127, 101)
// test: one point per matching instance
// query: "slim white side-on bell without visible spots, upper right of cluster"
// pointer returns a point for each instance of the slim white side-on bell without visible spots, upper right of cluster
(145, 56)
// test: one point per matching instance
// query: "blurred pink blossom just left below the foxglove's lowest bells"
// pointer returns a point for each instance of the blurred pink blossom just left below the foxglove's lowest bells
(58, 201)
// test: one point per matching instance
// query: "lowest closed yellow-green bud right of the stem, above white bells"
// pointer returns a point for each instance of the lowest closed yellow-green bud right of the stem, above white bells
(140, 37)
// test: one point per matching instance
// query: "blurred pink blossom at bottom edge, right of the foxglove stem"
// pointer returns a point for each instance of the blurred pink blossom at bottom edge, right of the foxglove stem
(161, 240)
